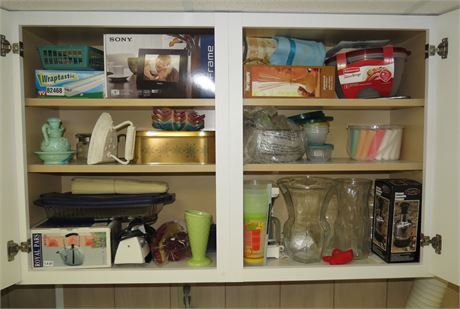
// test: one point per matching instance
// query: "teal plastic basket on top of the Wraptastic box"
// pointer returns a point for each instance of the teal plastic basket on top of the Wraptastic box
(71, 57)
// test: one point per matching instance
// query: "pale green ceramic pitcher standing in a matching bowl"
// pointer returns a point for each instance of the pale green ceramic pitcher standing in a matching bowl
(53, 140)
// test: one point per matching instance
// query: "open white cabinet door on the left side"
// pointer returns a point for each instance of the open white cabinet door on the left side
(9, 230)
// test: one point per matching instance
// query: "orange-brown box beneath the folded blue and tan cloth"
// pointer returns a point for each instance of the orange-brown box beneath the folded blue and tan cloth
(289, 81)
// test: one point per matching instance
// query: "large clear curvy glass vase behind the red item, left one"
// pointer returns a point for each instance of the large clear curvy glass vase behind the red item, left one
(306, 230)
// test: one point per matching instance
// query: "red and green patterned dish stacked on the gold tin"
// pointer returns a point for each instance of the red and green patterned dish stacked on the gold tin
(177, 120)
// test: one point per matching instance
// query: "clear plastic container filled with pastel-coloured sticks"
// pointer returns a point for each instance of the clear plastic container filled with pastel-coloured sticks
(374, 142)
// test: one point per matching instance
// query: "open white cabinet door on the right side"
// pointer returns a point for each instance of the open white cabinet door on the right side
(445, 183)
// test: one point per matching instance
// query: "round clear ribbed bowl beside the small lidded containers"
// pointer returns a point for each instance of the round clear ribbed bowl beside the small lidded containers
(279, 146)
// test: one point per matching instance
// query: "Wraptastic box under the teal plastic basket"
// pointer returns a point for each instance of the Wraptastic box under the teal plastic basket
(71, 84)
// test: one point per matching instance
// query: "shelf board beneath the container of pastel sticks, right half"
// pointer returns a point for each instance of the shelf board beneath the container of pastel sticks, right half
(336, 165)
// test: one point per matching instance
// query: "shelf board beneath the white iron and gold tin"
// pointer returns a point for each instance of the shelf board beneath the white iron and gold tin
(118, 168)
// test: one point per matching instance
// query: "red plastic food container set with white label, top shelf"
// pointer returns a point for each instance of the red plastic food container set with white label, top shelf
(369, 73)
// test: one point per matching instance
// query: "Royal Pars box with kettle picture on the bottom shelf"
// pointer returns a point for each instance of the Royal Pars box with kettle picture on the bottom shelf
(75, 244)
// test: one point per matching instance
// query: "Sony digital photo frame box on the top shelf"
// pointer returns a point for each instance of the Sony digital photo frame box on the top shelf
(159, 65)
